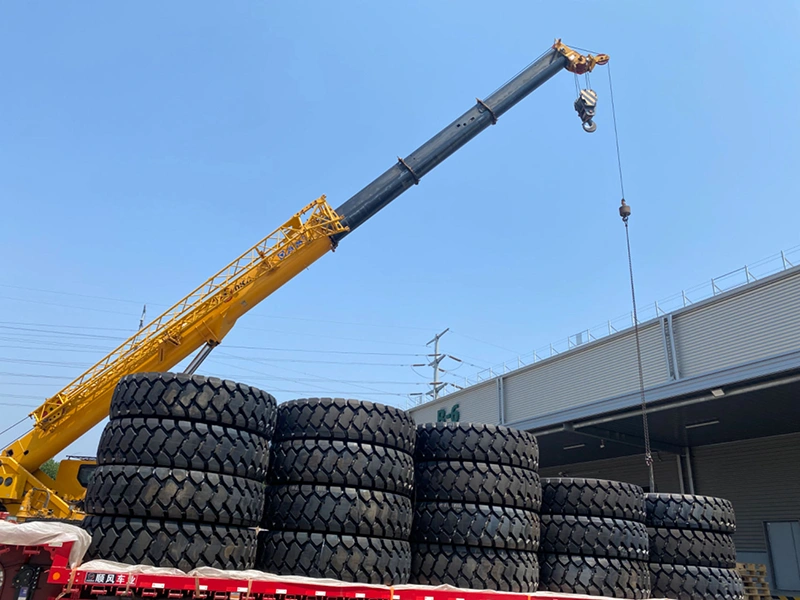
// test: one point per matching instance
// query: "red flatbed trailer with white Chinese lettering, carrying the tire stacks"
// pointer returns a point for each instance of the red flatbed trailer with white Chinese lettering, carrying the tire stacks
(52, 570)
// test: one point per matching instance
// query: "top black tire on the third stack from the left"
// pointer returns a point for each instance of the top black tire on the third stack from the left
(477, 442)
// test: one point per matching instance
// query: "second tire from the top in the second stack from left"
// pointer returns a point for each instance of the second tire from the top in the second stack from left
(346, 464)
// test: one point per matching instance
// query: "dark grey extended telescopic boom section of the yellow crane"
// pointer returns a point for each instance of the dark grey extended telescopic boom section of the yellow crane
(407, 172)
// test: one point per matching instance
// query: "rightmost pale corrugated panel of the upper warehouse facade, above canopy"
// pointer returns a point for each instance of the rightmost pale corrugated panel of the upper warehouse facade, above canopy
(755, 323)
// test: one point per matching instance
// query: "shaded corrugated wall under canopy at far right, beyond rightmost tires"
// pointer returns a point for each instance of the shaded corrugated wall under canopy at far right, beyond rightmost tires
(761, 477)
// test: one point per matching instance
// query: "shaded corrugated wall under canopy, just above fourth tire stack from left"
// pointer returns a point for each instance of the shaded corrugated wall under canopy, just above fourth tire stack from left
(631, 469)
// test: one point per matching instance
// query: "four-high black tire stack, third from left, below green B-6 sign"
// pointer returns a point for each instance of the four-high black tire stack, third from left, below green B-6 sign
(476, 522)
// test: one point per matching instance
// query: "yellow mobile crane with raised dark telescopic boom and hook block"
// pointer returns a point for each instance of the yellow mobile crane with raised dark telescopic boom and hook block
(203, 318)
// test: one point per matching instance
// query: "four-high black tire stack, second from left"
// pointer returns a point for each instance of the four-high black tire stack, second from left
(340, 498)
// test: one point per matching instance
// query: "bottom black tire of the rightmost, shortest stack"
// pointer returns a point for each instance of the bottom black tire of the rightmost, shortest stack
(682, 582)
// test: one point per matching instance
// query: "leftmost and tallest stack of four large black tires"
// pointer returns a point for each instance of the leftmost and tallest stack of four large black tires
(181, 476)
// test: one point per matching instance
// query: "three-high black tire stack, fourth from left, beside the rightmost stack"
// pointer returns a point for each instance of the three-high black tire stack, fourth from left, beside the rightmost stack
(594, 538)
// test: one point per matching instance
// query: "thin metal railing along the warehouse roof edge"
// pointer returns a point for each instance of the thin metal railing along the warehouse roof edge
(776, 263)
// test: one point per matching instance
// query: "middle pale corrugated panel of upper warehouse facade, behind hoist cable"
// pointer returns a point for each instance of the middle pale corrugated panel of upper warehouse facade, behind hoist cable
(601, 371)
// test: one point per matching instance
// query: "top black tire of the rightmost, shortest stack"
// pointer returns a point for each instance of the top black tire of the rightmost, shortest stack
(682, 511)
